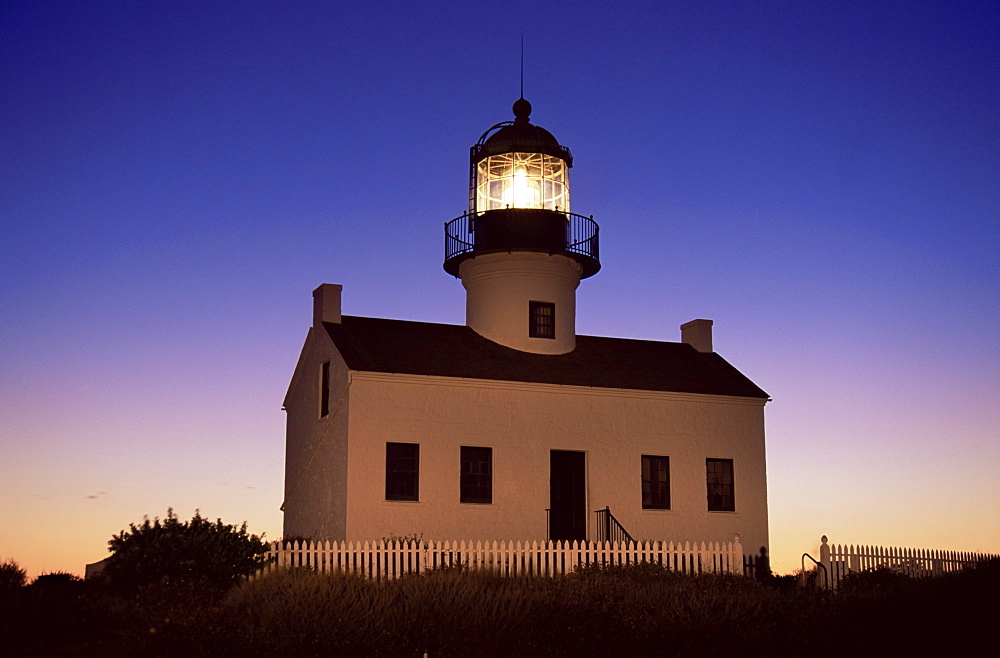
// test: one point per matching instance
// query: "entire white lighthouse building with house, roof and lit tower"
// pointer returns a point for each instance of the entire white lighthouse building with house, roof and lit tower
(513, 427)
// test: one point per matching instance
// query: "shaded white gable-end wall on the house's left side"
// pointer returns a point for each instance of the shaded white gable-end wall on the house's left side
(315, 501)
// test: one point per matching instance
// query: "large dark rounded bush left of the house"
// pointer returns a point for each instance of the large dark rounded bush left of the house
(211, 554)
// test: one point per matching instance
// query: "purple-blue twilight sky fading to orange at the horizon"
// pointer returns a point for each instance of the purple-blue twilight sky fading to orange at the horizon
(821, 179)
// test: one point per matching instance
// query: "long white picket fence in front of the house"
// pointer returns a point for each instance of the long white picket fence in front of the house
(394, 558)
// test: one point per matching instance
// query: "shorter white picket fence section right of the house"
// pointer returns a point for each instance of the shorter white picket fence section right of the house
(839, 560)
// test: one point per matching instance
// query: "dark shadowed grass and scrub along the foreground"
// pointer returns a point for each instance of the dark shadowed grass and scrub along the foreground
(592, 613)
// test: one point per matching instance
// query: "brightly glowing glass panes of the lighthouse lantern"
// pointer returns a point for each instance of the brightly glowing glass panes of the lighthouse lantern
(522, 180)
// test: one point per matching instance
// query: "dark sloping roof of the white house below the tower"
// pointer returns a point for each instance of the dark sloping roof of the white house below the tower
(446, 350)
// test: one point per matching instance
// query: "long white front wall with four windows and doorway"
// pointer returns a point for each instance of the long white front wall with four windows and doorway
(522, 423)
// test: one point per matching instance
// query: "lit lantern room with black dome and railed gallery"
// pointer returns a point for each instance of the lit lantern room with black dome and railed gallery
(519, 199)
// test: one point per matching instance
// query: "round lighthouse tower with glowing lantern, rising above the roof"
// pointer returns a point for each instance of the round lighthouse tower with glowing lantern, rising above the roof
(519, 250)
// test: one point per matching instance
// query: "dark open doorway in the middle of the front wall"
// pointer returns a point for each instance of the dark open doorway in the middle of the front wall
(567, 495)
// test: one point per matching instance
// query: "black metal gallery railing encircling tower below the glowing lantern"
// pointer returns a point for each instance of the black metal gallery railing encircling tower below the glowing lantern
(579, 238)
